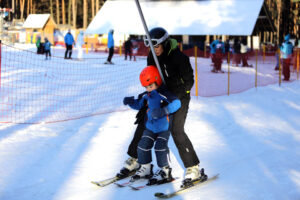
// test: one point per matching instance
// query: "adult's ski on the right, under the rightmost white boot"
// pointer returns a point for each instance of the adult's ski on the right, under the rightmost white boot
(183, 188)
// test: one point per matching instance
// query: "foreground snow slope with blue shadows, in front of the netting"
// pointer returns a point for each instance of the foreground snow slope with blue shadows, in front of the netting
(251, 138)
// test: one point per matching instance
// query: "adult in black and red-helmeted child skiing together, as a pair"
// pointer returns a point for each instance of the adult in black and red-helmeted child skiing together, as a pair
(162, 111)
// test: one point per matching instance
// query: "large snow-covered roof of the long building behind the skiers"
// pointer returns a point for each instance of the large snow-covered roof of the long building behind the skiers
(190, 17)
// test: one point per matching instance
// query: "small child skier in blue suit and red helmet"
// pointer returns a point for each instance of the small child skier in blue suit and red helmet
(161, 103)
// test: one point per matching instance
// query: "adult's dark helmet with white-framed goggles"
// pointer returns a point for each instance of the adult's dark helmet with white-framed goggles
(158, 35)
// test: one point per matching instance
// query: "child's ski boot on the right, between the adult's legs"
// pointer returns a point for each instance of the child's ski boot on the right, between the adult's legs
(161, 176)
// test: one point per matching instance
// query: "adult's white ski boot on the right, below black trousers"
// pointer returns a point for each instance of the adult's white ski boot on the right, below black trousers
(193, 174)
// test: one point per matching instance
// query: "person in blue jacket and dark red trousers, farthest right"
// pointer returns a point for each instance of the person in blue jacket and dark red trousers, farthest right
(286, 50)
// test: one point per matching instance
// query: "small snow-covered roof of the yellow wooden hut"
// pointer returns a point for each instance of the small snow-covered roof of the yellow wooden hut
(36, 20)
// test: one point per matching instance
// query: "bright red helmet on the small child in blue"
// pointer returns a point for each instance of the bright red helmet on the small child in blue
(150, 75)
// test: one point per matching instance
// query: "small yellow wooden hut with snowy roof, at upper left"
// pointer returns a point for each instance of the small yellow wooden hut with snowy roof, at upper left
(39, 25)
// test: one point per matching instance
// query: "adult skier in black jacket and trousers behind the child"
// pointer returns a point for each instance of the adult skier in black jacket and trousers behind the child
(179, 77)
